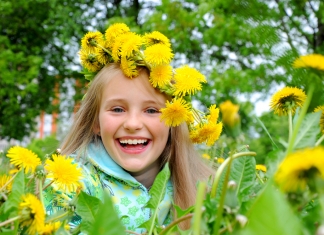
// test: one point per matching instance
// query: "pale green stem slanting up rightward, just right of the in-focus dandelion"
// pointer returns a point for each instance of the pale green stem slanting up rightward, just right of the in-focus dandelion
(300, 119)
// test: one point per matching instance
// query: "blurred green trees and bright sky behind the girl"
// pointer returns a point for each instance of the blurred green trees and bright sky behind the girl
(245, 48)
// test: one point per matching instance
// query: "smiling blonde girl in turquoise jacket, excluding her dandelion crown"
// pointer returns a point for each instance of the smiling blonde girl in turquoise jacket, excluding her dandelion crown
(123, 144)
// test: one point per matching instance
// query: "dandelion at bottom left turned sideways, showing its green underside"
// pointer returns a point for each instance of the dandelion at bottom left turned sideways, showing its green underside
(32, 214)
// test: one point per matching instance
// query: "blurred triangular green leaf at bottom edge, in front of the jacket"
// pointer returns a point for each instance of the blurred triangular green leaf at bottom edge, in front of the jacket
(107, 223)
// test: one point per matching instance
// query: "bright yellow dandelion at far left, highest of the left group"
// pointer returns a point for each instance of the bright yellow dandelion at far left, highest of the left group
(23, 158)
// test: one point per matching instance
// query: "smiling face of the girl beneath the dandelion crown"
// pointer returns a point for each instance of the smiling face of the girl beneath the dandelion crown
(129, 123)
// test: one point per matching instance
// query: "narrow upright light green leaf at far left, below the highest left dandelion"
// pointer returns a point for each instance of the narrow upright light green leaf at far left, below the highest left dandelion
(18, 189)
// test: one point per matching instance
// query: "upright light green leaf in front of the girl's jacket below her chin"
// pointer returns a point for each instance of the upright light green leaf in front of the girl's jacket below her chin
(157, 194)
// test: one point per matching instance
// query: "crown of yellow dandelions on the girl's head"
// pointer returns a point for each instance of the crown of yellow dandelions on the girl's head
(153, 50)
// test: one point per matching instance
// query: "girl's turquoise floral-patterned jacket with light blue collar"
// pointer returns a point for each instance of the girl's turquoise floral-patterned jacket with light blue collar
(129, 195)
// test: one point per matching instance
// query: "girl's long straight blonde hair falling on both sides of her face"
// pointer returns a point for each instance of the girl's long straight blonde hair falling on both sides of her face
(185, 163)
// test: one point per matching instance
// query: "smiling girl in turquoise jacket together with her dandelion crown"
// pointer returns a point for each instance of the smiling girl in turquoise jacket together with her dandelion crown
(122, 137)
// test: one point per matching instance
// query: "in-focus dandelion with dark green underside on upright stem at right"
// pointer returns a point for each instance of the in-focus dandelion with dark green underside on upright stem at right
(292, 97)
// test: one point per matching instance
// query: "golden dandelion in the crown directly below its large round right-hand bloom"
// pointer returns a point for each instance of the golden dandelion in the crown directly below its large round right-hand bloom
(161, 75)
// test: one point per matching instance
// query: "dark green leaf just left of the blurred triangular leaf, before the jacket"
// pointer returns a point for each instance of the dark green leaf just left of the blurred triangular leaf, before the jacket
(87, 206)
